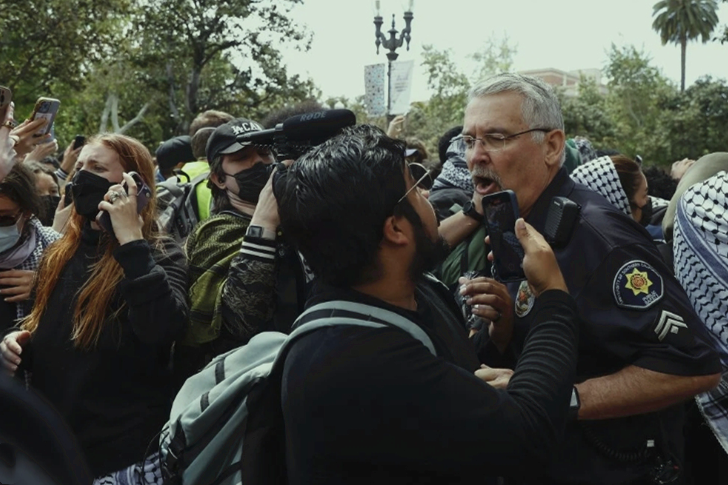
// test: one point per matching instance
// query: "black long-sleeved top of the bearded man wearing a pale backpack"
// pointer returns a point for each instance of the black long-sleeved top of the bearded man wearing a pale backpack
(380, 396)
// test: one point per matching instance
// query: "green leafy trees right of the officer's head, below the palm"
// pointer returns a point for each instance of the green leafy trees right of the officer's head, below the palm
(644, 113)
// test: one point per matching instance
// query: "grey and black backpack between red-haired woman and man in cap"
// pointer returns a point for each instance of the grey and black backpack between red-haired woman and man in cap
(177, 213)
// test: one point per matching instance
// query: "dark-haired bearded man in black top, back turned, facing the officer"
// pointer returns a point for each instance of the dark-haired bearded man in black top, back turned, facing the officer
(372, 404)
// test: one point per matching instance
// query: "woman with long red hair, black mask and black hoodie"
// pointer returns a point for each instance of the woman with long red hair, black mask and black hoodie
(107, 309)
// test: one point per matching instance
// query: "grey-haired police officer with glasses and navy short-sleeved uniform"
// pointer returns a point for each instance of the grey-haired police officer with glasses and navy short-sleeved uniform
(642, 348)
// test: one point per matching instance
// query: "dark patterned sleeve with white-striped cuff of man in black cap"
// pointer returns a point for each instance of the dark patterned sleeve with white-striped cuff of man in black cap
(248, 295)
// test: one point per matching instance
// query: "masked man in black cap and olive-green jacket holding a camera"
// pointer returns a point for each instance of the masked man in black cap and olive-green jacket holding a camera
(231, 256)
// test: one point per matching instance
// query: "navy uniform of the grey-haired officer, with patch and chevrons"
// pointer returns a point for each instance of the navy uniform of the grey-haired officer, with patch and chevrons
(633, 312)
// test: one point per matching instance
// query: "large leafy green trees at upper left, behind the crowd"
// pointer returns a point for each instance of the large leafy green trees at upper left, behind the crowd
(148, 67)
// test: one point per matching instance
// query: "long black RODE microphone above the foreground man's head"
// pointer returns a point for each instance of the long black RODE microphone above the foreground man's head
(307, 129)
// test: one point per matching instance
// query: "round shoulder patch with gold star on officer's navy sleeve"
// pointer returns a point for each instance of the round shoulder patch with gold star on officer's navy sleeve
(637, 286)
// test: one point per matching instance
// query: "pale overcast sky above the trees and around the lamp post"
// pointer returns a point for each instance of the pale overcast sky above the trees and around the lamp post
(564, 34)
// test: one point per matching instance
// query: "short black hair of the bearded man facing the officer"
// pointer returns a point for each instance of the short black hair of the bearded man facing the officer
(330, 212)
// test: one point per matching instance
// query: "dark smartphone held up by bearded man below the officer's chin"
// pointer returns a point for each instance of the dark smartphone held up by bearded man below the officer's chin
(501, 212)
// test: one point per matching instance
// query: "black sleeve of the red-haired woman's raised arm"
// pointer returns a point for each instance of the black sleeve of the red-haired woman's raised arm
(155, 289)
